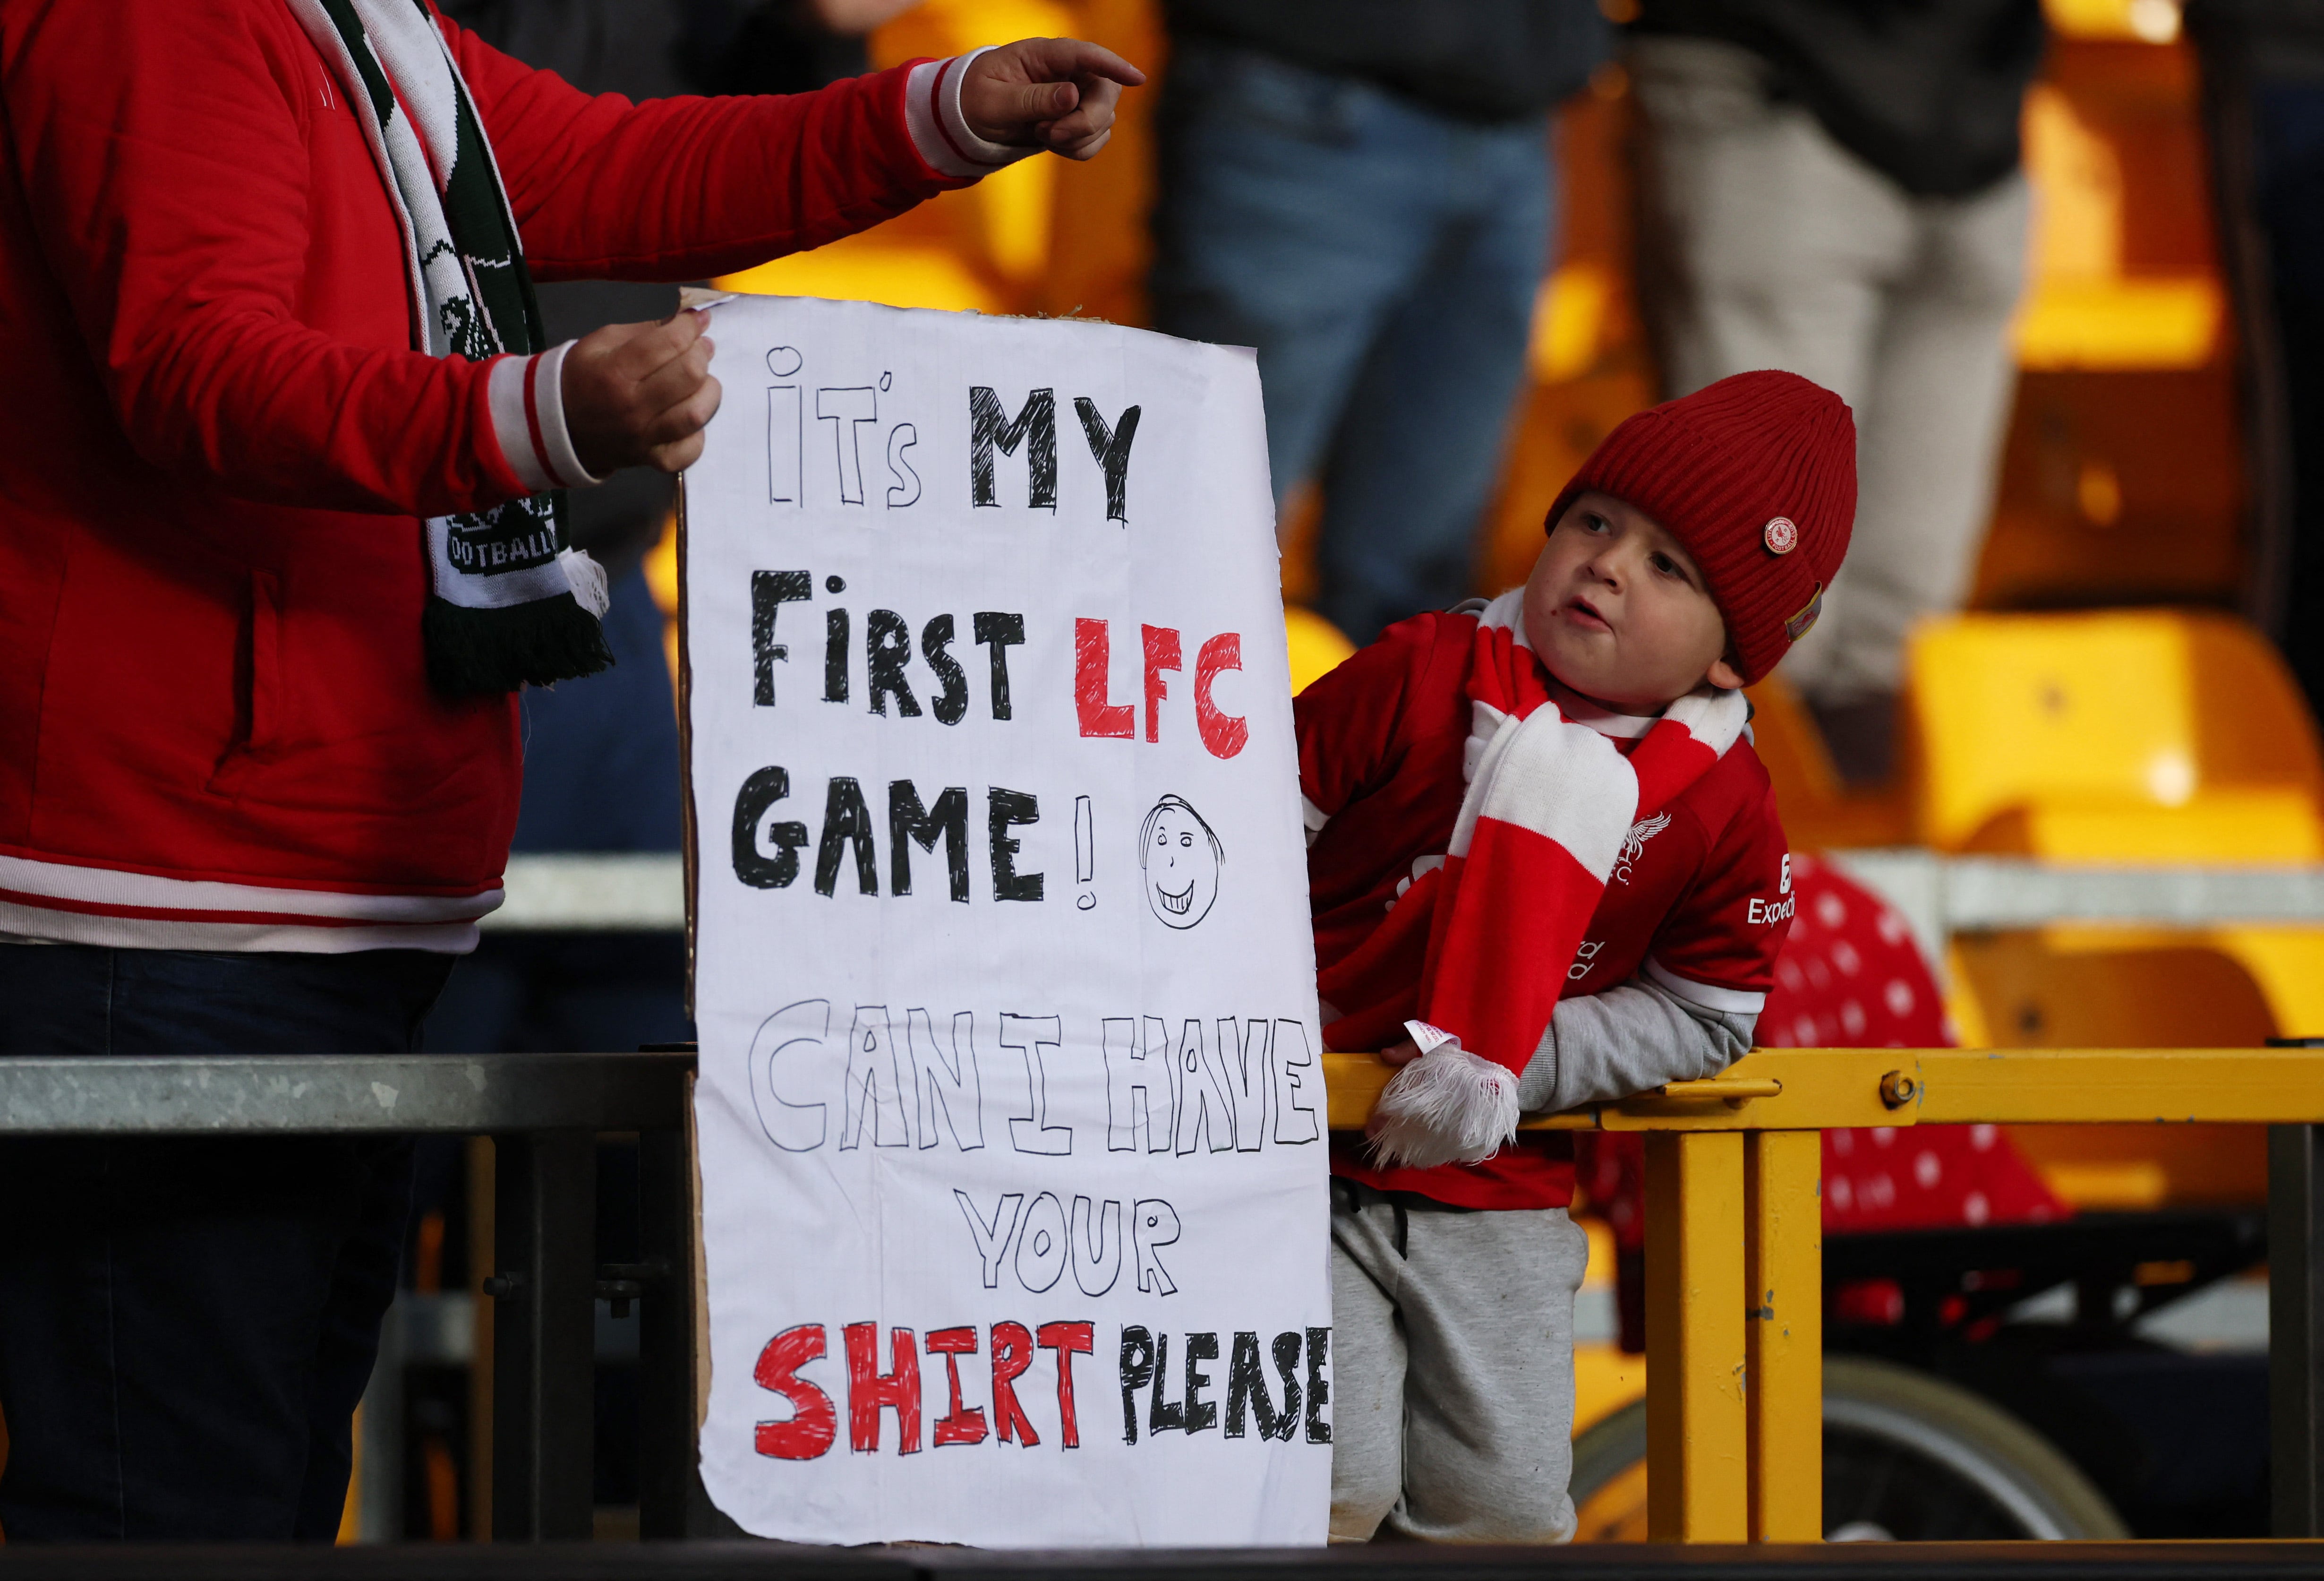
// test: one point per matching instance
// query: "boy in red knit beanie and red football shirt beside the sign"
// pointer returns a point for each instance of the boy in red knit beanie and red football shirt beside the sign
(1542, 847)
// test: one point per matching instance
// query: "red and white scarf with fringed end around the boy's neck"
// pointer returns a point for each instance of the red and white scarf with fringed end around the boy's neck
(1549, 806)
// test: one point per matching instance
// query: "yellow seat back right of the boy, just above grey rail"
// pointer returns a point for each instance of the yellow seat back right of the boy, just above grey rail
(2125, 736)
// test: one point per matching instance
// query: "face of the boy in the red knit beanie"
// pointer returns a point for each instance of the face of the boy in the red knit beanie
(1619, 610)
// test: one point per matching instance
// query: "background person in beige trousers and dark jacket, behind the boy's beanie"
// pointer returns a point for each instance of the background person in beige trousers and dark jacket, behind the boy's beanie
(1832, 187)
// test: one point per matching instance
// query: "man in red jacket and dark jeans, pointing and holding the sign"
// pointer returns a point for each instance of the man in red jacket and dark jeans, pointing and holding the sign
(280, 543)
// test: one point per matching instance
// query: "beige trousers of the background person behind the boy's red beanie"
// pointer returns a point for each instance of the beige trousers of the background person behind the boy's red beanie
(1767, 245)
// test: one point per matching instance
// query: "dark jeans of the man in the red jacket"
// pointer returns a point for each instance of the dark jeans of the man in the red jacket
(189, 1324)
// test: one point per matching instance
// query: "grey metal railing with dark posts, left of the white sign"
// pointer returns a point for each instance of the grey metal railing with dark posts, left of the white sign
(543, 1115)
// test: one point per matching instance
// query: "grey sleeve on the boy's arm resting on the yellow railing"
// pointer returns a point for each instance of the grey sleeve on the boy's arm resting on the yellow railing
(1628, 1040)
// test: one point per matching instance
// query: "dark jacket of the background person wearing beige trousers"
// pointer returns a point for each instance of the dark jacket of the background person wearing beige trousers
(1925, 92)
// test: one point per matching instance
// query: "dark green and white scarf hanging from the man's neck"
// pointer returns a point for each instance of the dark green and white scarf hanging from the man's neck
(512, 603)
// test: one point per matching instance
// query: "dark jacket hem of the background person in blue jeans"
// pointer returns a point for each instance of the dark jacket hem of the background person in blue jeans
(1479, 59)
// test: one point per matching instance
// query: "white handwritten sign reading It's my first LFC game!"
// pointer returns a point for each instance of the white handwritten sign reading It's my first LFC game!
(1012, 1122)
